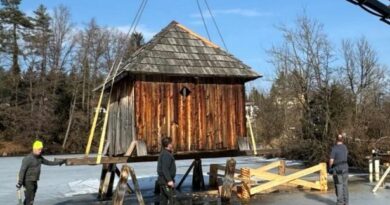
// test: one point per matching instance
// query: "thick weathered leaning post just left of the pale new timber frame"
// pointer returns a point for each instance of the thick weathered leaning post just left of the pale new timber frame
(228, 180)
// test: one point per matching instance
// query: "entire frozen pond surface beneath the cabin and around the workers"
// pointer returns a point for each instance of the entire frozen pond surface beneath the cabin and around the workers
(68, 184)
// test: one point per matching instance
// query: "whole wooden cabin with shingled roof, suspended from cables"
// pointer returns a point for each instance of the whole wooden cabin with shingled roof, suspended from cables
(181, 85)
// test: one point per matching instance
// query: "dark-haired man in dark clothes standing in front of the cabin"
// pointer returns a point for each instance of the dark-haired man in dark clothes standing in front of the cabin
(166, 170)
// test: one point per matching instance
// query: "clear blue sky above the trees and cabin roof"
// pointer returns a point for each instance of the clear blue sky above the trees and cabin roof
(248, 26)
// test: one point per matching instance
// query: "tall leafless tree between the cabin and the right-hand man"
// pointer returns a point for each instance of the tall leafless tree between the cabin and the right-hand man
(305, 56)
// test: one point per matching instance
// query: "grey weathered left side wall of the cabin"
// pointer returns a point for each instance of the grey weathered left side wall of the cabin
(121, 125)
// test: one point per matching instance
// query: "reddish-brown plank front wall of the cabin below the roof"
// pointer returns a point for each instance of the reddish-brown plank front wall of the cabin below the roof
(211, 117)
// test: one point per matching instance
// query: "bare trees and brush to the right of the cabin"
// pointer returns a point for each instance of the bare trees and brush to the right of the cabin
(323, 88)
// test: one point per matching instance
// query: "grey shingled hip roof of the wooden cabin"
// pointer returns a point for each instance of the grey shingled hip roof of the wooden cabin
(178, 51)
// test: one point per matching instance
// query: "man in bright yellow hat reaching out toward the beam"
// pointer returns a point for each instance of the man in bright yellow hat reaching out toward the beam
(31, 170)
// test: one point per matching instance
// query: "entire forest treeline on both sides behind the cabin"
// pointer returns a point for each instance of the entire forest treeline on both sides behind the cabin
(49, 68)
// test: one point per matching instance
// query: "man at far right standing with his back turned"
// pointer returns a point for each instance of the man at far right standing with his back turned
(339, 169)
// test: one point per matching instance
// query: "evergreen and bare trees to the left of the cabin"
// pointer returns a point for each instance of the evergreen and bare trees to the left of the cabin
(48, 70)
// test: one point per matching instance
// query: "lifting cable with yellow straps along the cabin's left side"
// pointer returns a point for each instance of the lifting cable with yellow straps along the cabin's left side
(116, 64)
